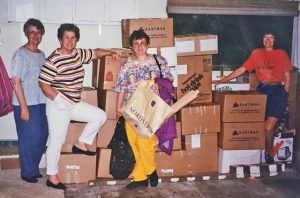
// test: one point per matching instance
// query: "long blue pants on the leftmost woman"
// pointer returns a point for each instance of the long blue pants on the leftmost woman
(32, 138)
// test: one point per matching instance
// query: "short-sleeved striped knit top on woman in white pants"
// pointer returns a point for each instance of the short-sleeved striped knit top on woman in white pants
(65, 73)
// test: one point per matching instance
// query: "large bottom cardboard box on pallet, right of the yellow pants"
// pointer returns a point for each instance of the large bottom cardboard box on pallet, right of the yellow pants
(203, 159)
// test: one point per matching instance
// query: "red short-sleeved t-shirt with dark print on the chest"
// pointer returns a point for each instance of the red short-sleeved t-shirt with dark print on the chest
(270, 66)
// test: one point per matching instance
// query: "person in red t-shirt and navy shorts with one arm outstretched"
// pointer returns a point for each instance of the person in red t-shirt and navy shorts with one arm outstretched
(272, 67)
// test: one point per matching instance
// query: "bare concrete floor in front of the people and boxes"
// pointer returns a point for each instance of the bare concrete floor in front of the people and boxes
(285, 184)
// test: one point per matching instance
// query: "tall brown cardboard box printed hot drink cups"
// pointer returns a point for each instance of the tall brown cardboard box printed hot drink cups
(194, 73)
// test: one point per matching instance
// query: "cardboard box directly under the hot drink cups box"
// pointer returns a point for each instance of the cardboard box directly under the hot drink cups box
(204, 118)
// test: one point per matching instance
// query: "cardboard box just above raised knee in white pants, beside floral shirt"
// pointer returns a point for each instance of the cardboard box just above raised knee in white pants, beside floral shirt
(107, 102)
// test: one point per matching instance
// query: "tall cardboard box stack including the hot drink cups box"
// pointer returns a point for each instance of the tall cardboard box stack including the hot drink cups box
(200, 121)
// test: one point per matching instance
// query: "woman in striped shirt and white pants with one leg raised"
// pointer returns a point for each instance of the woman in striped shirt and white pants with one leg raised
(61, 80)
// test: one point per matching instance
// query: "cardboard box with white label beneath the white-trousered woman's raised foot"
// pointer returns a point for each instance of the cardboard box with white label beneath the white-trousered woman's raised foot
(76, 168)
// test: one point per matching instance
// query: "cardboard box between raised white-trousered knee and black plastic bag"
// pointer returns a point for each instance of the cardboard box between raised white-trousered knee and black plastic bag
(106, 132)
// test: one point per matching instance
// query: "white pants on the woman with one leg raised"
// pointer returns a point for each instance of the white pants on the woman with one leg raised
(59, 113)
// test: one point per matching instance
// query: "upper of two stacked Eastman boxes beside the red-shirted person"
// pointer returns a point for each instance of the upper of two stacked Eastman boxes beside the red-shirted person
(241, 106)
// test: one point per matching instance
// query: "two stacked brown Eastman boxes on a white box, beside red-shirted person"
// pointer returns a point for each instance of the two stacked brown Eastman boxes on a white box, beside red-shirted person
(242, 128)
